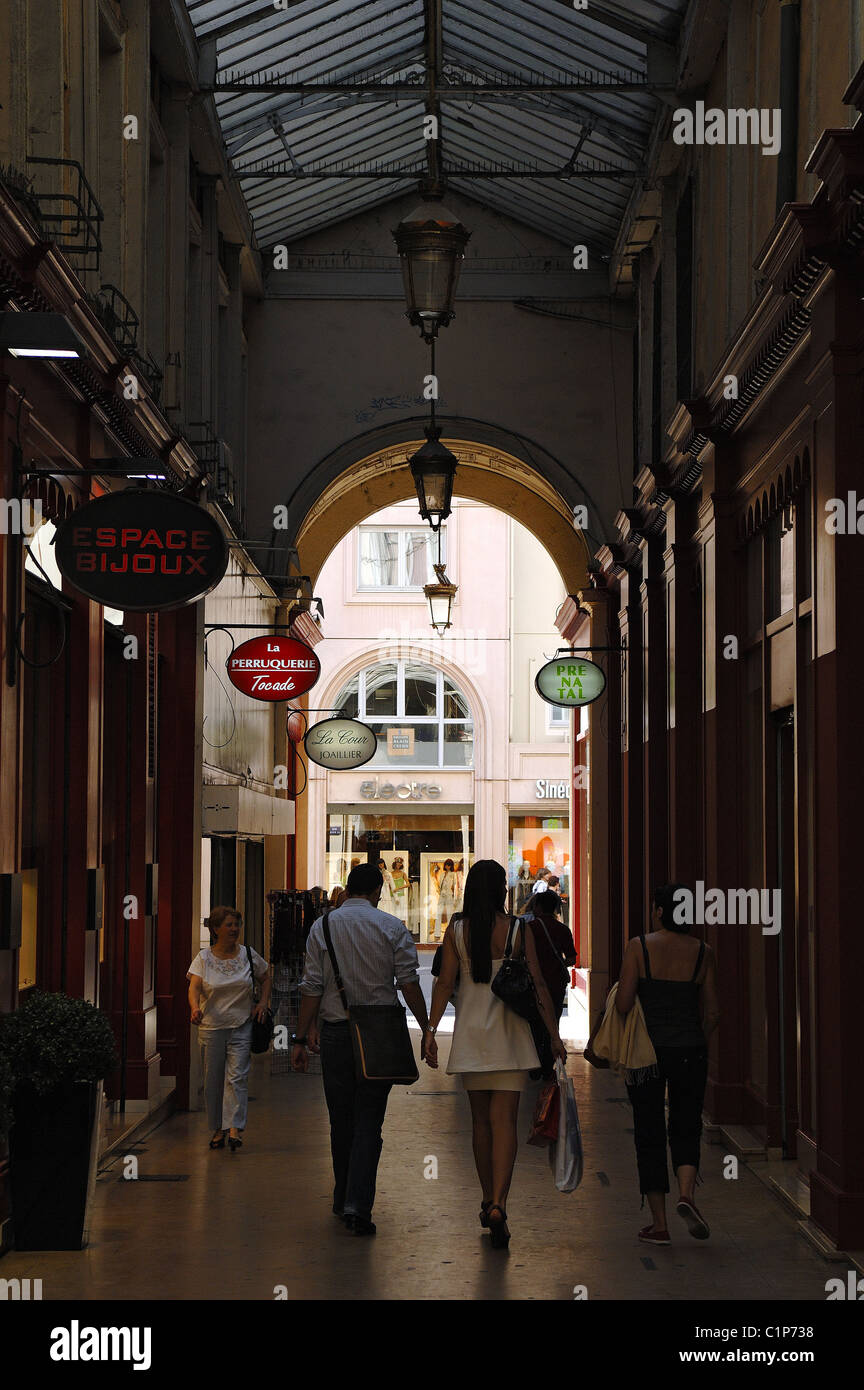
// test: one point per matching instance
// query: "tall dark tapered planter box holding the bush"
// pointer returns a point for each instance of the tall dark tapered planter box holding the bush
(53, 1166)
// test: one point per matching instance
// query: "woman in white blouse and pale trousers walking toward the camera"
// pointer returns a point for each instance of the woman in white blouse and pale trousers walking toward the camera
(222, 1001)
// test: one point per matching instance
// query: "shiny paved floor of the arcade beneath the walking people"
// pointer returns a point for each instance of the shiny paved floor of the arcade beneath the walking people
(238, 1227)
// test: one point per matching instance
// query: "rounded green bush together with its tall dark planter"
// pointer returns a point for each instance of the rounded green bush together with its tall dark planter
(59, 1052)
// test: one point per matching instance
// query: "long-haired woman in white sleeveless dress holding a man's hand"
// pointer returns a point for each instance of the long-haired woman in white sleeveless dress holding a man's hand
(492, 1047)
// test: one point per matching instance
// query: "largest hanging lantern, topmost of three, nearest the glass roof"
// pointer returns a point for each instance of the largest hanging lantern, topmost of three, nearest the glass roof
(431, 245)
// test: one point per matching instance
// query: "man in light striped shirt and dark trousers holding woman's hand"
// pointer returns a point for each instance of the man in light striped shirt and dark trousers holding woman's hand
(377, 956)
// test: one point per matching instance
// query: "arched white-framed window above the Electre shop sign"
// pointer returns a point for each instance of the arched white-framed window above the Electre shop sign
(420, 717)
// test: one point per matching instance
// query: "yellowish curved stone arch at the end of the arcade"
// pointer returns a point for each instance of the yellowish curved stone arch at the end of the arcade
(487, 473)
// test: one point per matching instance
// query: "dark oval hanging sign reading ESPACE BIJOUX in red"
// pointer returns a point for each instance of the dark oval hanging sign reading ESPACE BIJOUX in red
(142, 551)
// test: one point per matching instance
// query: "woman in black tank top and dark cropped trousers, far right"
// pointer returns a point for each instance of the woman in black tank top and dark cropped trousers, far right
(674, 981)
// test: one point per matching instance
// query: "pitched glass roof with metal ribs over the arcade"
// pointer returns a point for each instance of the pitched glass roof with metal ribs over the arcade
(522, 90)
